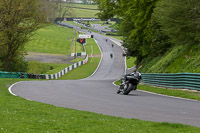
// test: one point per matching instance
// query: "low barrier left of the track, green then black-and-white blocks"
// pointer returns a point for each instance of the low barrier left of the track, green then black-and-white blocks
(42, 76)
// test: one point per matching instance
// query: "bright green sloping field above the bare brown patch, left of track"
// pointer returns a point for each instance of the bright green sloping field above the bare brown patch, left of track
(51, 39)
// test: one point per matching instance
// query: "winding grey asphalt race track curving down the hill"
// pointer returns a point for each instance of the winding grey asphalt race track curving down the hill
(97, 93)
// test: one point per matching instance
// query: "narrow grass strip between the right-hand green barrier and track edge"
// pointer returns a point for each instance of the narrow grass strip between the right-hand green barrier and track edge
(168, 92)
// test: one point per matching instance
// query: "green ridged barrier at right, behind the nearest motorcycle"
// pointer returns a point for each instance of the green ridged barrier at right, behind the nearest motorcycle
(173, 80)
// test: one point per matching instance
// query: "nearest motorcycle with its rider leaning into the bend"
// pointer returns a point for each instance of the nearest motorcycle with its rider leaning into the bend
(129, 82)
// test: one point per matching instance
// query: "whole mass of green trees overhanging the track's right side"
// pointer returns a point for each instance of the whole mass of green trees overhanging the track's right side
(151, 27)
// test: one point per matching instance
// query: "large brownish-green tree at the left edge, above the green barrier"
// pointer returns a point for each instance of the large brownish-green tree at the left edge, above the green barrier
(18, 20)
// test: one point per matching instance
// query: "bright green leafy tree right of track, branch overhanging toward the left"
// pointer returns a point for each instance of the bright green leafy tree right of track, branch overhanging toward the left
(137, 26)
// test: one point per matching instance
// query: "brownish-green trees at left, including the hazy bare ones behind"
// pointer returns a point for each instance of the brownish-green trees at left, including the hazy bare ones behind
(18, 21)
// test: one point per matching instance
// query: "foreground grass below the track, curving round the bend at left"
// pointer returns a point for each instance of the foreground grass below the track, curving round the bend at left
(20, 115)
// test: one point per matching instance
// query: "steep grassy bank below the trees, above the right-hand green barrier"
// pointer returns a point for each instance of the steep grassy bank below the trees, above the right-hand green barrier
(178, 59)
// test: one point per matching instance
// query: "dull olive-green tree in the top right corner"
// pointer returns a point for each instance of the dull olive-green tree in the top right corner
(179, 20)
